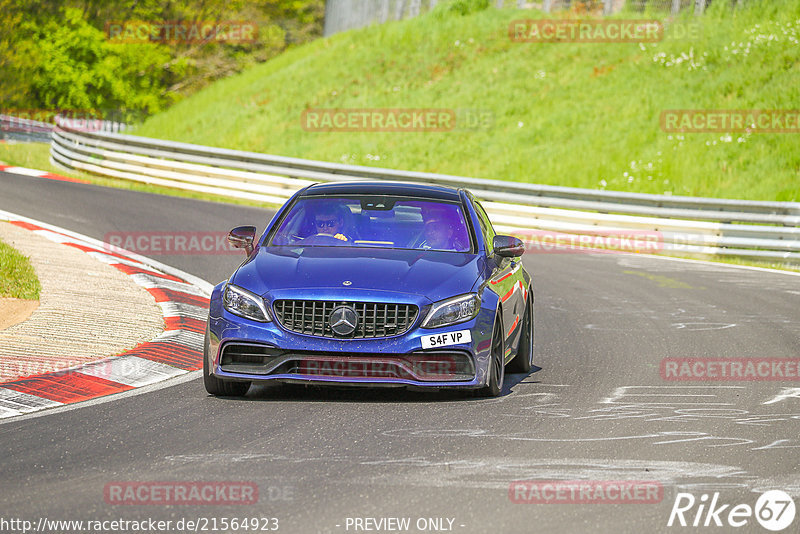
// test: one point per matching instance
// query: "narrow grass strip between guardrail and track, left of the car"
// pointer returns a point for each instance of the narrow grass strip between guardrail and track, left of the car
(37, 156)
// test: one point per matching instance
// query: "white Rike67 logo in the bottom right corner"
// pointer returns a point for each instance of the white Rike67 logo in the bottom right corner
(774, 510)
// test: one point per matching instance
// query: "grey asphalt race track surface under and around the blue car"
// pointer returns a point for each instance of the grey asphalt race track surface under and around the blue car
(596, 406)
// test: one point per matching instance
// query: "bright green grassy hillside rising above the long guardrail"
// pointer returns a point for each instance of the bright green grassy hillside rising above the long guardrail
(584, 115)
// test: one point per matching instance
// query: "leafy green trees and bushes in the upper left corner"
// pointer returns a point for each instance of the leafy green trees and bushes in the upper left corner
(54, 55)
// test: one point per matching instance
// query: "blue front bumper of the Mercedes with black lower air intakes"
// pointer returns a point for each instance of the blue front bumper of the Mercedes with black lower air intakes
(241, 349)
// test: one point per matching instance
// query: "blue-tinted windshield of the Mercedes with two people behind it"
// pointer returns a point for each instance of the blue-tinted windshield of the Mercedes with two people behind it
(375, 221)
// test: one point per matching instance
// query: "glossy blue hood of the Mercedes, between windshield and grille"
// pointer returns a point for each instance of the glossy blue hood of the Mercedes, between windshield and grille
(322, 272)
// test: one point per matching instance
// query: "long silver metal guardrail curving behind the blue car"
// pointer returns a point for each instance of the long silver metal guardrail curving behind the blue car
(688, 226)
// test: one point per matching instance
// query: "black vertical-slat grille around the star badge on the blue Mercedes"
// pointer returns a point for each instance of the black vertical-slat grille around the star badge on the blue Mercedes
(375, 319)
